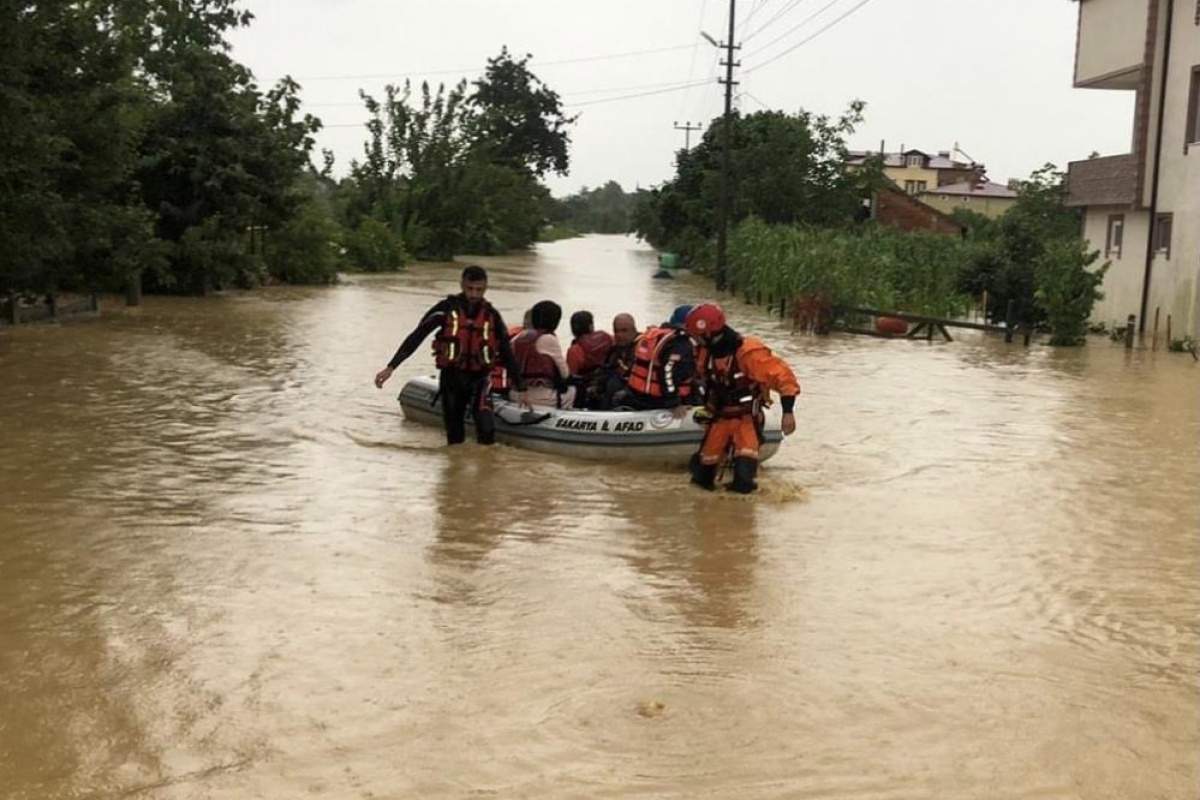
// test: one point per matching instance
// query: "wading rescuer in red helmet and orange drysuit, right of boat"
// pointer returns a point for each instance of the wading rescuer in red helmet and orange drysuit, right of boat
(740, 375)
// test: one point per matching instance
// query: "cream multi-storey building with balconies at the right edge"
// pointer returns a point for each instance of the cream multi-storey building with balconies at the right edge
(1143, 208)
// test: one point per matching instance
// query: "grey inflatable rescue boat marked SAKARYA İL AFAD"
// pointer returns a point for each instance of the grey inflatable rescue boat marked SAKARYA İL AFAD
(651, 437)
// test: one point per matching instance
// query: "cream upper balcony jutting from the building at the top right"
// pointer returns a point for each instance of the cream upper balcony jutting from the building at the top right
(1112, 47)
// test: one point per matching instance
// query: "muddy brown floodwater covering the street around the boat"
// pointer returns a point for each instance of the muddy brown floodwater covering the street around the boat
(230, 569)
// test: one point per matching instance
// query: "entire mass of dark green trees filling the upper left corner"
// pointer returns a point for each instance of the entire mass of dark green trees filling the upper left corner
(136, 145)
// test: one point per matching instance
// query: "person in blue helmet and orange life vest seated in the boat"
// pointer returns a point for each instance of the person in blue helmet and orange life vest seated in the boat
(664, 371)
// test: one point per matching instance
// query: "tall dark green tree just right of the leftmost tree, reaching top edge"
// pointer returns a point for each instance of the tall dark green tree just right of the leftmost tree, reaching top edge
(219, 157)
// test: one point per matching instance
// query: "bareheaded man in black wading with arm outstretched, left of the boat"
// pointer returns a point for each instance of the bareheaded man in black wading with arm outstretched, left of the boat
(472, 338)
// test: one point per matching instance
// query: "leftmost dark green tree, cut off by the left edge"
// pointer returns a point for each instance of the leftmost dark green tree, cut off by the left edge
(70, 118)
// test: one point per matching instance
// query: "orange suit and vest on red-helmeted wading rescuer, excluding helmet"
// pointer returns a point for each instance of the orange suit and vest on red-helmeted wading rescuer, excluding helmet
(739, 388)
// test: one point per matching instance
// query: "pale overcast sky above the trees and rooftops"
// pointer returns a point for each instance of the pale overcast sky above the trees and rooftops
(993, 76)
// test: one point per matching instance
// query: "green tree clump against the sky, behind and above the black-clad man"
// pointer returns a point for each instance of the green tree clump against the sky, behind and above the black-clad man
(457, 170)
